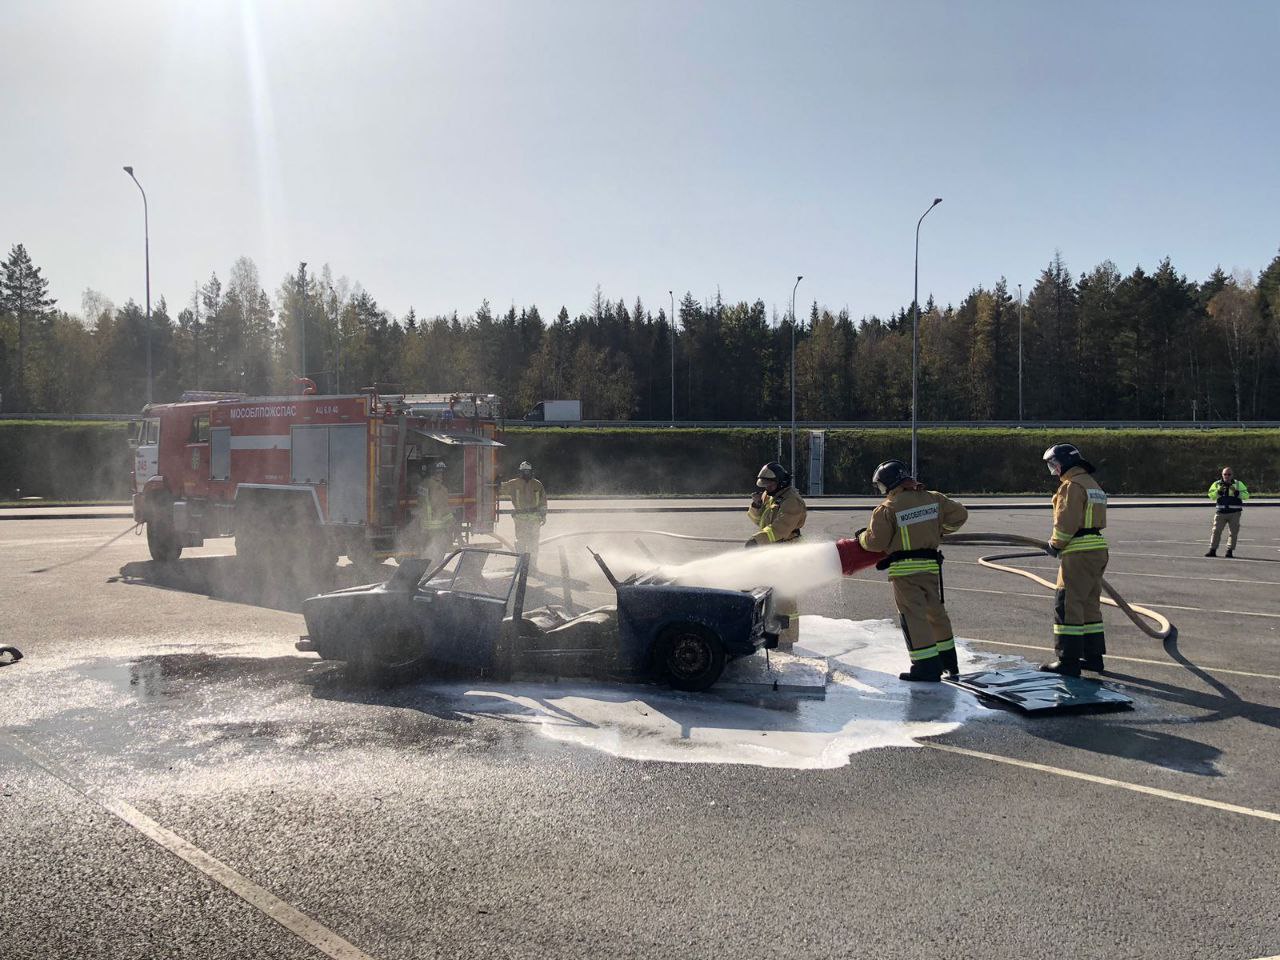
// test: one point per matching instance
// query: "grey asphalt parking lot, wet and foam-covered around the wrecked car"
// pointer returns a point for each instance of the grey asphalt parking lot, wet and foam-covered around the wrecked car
(179, 781)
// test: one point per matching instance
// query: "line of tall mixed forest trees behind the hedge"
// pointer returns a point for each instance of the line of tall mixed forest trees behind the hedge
(1096, 346)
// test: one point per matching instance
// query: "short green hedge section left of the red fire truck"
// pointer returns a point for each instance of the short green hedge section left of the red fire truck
(65, 461)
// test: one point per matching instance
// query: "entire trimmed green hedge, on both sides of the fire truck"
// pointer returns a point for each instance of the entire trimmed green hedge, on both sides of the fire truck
(92, 461)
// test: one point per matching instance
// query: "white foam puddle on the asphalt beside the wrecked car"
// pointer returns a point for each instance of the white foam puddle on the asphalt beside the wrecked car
(867, 707)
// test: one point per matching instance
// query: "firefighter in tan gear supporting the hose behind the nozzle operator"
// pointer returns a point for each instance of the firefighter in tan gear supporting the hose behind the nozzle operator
(1080, 518)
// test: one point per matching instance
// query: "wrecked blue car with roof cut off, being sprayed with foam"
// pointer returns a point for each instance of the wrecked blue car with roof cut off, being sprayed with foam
(468, 616)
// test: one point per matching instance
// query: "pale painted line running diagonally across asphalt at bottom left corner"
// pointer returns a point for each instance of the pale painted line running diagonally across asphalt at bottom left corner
(285, 915)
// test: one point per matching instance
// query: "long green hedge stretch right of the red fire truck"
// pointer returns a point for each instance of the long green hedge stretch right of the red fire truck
(962, 460)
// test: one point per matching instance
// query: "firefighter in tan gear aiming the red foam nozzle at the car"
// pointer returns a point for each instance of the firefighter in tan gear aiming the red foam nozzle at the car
(909, 527)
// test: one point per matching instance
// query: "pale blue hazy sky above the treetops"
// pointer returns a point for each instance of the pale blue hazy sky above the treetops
(527, 152)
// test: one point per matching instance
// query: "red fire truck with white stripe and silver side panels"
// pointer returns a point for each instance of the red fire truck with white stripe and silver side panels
(317, 477)
